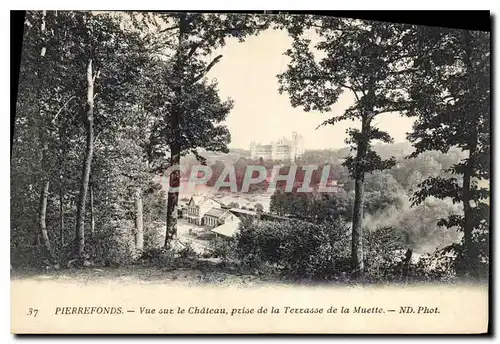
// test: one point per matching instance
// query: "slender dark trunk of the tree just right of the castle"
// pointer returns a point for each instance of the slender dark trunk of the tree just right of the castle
(357, 260)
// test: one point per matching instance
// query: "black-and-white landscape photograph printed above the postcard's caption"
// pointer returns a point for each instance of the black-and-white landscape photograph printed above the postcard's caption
(258, 149)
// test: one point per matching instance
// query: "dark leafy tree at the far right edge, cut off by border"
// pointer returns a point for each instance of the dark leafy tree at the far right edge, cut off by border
(451, 101)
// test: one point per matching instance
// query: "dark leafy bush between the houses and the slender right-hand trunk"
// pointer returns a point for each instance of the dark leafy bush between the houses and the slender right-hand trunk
(301, 249)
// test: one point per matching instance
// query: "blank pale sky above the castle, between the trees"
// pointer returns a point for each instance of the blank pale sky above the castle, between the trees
(247, 74)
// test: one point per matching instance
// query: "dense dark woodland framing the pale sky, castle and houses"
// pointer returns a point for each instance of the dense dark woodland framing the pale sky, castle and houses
(107, 102)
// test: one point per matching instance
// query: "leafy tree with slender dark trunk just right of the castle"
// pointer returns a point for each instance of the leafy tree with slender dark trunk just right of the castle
(364, 58)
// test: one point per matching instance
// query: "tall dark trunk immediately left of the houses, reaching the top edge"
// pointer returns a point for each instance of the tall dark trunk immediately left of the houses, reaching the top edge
(175, 146)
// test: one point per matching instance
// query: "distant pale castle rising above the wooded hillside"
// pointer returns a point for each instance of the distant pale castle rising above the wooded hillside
(283, 149)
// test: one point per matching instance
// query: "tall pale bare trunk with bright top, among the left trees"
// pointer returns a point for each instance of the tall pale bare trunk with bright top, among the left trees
(87, 162)
